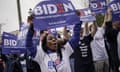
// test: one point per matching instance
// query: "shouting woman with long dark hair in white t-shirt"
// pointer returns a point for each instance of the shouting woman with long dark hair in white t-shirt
(52, 57)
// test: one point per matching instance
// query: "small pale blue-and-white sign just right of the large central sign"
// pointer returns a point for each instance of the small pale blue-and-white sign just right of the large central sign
(86, 15)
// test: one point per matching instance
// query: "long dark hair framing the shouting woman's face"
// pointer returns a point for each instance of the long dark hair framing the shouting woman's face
(45, 48)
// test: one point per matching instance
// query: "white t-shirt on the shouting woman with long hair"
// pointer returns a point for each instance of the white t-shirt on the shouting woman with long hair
(51, 62)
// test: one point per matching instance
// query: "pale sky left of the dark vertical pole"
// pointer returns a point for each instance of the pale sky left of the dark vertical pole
(8, 15)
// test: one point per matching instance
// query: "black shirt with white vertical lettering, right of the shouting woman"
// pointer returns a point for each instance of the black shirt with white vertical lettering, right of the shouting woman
(83, 55)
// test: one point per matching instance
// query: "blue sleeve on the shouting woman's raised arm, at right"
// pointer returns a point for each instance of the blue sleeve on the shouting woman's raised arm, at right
(74, 40)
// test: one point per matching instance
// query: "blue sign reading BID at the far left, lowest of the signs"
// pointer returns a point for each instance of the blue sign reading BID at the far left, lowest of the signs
(10, 44)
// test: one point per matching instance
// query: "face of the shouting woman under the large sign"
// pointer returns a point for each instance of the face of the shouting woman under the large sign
(52, 42)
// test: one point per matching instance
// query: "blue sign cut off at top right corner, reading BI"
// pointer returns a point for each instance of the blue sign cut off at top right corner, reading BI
(115, 5)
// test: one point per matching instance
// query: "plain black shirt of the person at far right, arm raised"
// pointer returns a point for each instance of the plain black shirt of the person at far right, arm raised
(111, 36)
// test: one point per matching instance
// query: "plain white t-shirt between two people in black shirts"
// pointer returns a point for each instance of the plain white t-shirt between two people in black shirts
(98, 46)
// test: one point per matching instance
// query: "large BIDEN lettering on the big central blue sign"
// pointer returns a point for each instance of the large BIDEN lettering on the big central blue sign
(52, 8)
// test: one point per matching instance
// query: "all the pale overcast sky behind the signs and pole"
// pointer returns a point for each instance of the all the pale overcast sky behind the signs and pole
(9, 14)
